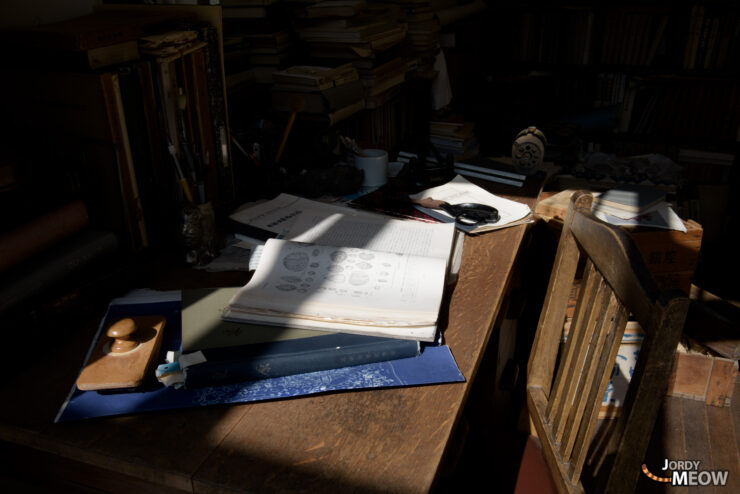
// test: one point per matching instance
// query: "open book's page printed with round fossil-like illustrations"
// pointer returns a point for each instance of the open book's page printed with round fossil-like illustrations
(343, 285)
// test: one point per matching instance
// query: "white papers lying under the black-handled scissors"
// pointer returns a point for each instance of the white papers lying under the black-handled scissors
(459, 190)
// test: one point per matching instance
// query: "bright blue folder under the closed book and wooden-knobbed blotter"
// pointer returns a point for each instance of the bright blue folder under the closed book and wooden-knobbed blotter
(435, 365)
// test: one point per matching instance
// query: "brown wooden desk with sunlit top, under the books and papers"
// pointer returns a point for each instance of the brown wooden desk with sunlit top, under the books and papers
(375, 440)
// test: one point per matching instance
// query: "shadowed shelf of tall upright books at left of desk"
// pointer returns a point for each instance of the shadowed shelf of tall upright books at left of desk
(89, 125)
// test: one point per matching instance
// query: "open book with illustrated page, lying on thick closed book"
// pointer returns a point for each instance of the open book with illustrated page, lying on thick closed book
(363, 274)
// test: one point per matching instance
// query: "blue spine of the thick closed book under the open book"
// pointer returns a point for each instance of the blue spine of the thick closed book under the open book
(211, 373)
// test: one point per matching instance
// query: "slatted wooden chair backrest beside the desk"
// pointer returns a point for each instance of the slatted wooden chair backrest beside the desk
(566, 386)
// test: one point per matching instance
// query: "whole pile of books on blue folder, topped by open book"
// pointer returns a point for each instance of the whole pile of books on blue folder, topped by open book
(341, 288)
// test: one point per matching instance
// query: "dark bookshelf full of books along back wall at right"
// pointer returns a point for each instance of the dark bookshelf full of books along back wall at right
(626, 79)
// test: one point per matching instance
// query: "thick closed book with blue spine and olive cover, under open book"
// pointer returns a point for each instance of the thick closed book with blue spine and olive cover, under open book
(230, 352)
